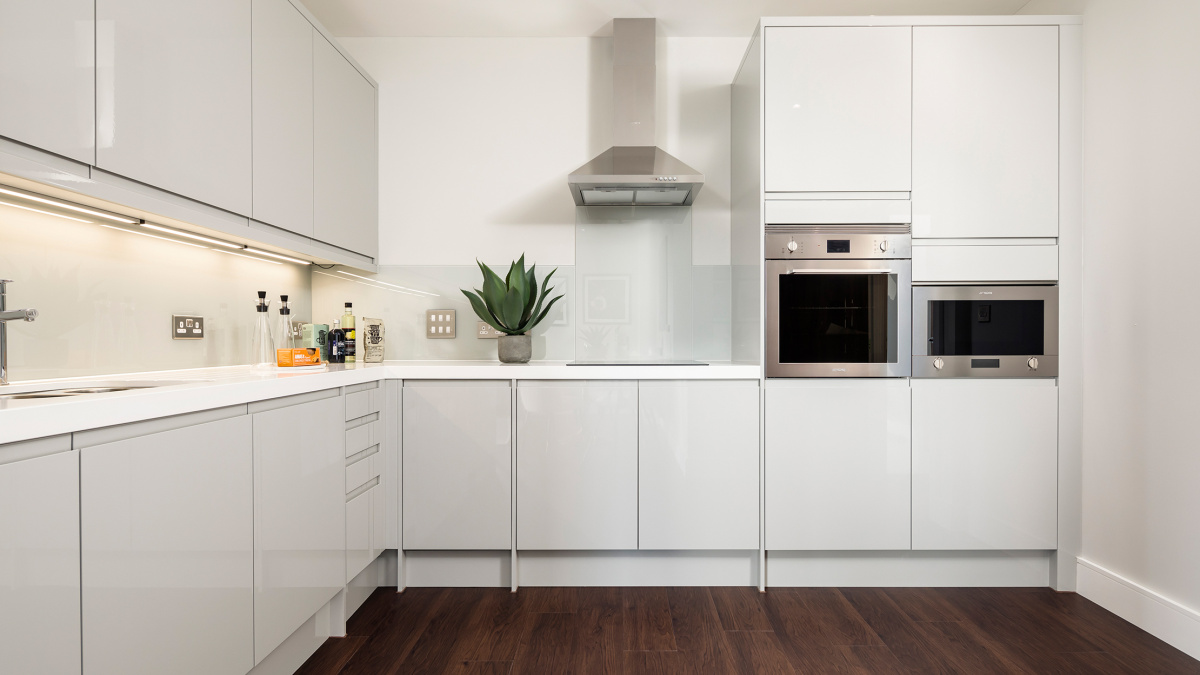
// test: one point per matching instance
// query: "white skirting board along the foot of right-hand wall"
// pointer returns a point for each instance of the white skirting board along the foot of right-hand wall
(1159, 616)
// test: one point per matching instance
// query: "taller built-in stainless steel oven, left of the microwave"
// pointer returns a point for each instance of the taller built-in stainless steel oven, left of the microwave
(838, 301)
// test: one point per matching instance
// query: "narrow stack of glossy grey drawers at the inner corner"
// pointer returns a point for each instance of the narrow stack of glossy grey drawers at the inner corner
(365, 521)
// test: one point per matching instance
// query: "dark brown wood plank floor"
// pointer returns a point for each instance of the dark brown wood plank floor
(737, 630)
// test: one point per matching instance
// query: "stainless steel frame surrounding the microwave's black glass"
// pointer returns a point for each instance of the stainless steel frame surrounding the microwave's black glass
(1011, 366)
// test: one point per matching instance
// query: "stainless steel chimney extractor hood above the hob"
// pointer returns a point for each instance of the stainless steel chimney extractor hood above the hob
(635, 171)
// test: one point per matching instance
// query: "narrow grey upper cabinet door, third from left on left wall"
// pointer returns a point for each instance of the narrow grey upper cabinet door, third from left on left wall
(283, 127)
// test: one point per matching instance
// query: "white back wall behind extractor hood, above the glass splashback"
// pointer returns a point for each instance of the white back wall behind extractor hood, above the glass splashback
(477, 136)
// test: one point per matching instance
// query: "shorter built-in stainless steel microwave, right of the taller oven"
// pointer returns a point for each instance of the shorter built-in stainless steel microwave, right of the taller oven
(986, 332)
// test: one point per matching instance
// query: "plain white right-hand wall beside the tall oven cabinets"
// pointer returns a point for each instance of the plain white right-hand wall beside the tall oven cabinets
(1142, 445)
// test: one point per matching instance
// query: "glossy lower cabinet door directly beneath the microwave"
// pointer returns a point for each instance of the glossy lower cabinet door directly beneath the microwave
(986, 464)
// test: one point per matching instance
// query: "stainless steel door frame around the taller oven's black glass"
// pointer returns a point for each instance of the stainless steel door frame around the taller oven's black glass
(903, 270)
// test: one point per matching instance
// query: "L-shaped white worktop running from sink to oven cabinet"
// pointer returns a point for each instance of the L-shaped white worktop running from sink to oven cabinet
(190, 391)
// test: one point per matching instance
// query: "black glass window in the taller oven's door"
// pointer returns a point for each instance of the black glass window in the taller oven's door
(841, 318)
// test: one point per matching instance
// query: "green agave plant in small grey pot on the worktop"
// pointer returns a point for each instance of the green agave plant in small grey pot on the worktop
(513, 306)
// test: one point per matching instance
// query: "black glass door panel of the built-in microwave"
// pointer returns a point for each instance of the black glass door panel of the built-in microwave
(961, 328)
